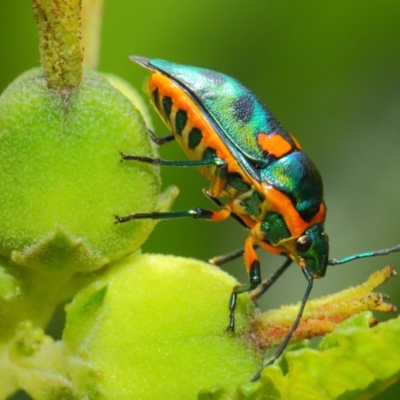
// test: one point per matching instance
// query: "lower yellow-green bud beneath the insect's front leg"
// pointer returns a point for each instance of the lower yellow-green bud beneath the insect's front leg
(133, 335)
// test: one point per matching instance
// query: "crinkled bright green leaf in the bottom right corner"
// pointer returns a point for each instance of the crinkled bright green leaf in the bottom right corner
(353, 362)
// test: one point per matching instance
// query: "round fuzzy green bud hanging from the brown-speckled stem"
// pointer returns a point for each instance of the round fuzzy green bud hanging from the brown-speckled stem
(61, 177)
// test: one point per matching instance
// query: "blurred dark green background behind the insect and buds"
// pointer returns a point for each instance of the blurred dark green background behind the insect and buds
(330, 72)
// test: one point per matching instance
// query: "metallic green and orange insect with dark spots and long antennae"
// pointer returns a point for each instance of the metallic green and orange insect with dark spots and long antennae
(257, 171)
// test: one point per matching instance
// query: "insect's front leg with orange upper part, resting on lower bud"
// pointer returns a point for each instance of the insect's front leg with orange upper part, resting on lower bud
(253, 268)
